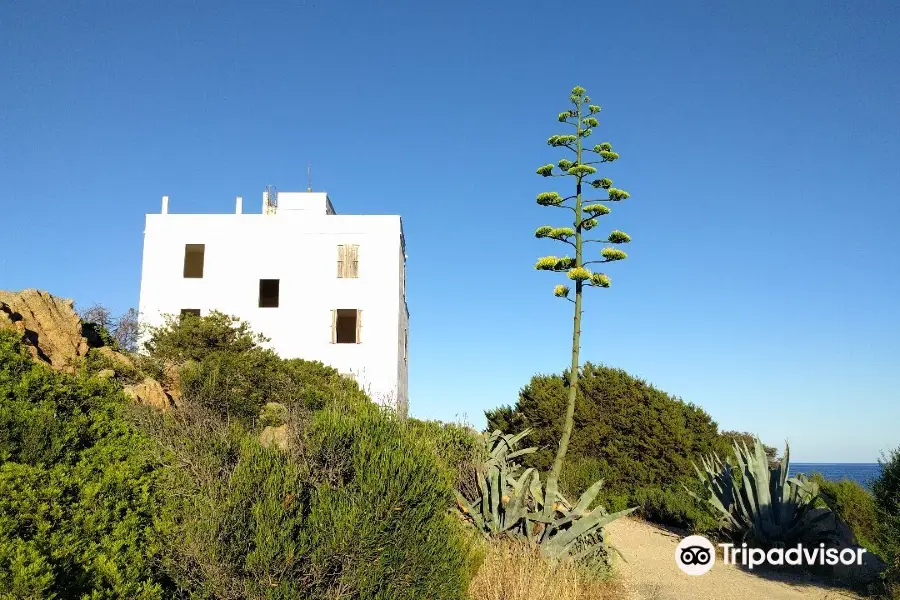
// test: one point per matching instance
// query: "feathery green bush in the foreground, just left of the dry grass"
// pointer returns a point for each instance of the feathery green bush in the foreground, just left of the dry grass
(362, 511)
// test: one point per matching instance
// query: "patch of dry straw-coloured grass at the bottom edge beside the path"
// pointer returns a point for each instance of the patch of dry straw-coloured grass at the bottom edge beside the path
(513, 571)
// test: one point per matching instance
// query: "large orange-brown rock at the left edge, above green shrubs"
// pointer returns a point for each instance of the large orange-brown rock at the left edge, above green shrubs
(48, 326)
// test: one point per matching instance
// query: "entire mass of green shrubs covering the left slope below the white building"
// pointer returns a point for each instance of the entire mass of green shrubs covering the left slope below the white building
(103, 499)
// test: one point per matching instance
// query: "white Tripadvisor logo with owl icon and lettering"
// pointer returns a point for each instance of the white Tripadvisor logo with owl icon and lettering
(695, 555)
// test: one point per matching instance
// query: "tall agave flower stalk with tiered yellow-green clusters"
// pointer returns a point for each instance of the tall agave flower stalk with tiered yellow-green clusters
(585, 213)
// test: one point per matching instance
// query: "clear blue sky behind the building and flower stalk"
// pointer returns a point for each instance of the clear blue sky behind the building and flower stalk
(759, 142)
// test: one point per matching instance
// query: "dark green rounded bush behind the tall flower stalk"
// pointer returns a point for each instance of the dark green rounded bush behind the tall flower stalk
(638, 439)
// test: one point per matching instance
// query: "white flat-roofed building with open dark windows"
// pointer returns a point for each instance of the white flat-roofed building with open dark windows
(322, 286)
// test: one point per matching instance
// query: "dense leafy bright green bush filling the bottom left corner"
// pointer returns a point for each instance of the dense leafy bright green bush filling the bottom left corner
(80, 501)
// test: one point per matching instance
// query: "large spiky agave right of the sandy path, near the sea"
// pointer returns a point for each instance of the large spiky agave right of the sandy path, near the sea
(760, 504)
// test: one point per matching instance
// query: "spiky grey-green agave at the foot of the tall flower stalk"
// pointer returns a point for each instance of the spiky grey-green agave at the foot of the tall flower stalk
(512, 503)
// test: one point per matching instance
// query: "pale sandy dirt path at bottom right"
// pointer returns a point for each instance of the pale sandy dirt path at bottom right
(651, 572)
